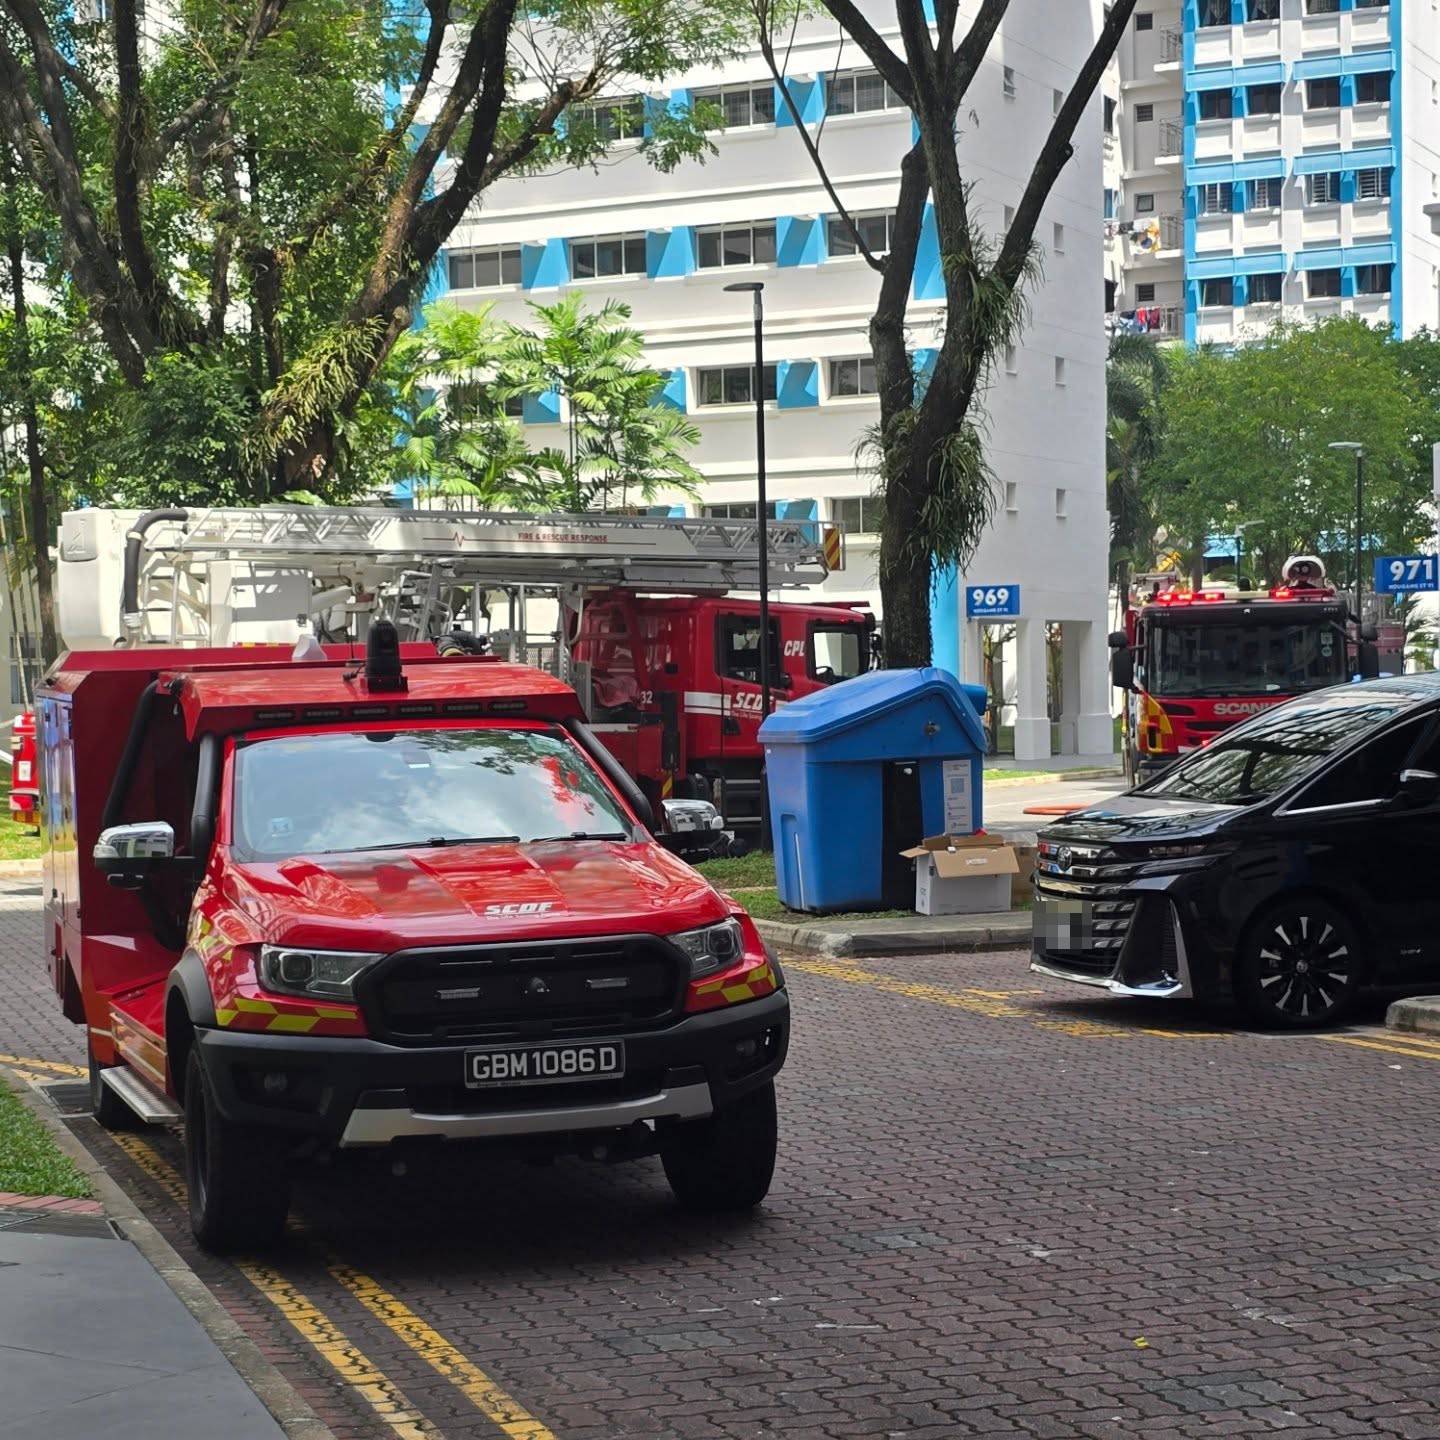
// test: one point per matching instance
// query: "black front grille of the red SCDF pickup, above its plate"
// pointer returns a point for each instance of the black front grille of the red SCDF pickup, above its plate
(523, 991)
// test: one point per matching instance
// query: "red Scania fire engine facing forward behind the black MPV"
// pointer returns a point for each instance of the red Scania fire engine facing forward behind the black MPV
(1197, 662)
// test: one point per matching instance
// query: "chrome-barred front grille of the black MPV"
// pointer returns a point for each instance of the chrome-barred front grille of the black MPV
(1084, 906)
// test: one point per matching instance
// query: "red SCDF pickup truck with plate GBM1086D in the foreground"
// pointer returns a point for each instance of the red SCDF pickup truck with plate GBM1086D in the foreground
(339, 899)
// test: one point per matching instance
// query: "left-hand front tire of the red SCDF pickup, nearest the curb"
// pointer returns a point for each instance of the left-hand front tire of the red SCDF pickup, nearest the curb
(237, 1176)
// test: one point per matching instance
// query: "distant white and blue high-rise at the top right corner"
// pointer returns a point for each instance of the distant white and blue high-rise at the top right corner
(1277, 162)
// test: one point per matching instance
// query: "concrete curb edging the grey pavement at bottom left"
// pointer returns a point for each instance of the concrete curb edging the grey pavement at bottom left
(292, 1413)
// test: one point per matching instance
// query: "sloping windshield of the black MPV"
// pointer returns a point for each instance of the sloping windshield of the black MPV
(1272, 751)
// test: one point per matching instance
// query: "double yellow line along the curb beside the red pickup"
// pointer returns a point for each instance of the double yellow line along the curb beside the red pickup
(342, 1354)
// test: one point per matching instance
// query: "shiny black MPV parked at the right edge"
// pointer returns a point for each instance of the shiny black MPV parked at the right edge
(1288, 865)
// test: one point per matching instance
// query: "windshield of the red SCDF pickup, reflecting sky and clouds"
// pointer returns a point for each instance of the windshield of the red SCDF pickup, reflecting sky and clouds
(382, 790)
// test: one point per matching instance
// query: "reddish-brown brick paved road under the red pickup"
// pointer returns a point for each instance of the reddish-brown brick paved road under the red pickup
(1002, 1210)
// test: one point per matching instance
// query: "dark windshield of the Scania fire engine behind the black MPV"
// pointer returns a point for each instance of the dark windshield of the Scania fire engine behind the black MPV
(1245, 659)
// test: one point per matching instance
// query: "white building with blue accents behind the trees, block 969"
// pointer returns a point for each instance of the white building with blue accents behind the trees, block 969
(669, 246)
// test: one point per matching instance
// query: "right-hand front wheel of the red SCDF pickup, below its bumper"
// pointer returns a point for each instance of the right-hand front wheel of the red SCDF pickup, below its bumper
(725, 1163)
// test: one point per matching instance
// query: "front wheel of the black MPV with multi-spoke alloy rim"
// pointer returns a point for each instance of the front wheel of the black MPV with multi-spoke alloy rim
(1300, 966)
